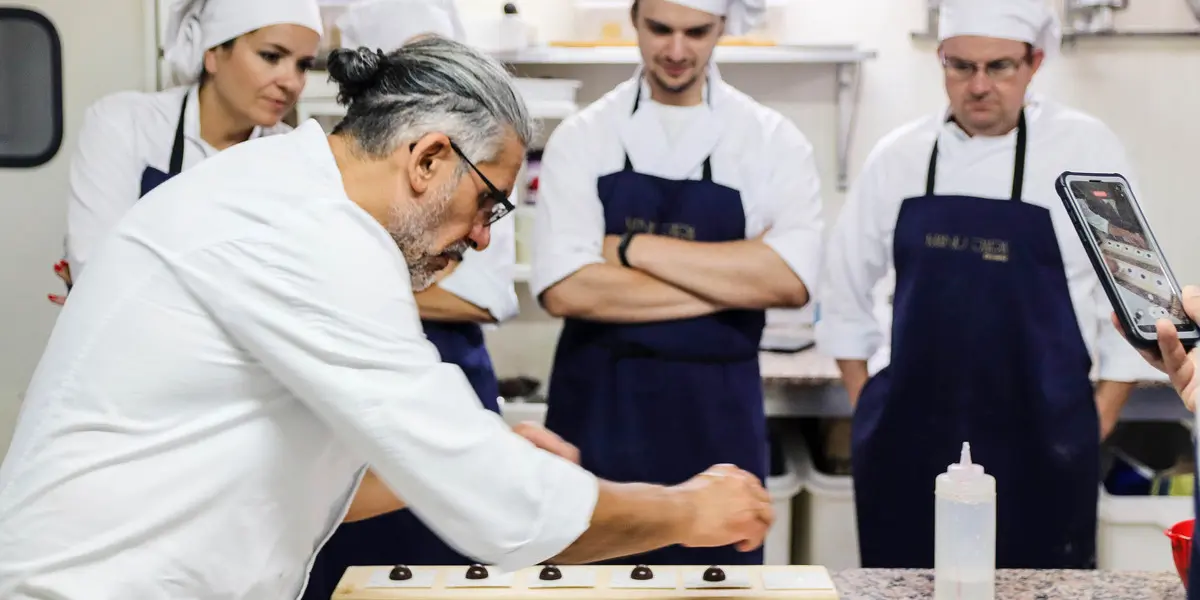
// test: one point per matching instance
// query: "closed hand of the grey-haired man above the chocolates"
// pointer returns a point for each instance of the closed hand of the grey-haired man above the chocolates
(728, 506)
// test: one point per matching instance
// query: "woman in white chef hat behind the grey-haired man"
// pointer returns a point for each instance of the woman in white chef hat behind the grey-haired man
(238, 68)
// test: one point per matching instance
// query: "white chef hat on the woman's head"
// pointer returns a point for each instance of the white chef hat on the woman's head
(199, 26)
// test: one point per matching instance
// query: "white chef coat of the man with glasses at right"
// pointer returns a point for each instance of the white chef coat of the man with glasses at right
(854, 316)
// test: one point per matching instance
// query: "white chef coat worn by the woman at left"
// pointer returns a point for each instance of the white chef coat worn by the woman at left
(122, 135)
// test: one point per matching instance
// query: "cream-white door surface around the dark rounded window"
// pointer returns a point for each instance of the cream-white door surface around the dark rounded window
(105, 49)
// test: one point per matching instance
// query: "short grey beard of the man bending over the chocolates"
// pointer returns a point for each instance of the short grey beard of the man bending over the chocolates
(415, 227)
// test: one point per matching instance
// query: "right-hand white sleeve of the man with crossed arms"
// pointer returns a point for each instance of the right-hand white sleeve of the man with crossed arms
(797, 224)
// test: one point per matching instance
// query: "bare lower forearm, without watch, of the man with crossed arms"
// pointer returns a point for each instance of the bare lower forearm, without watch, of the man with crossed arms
(610, 293)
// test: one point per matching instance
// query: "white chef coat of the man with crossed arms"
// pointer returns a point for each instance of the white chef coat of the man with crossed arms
(754, 149)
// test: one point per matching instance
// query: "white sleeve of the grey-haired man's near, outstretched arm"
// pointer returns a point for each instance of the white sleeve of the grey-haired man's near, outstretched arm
(328, 310)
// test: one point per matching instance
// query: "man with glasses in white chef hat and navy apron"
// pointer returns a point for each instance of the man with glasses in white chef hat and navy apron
(997, 313)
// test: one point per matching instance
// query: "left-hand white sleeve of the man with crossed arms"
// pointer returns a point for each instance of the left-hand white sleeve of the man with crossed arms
(569, 225)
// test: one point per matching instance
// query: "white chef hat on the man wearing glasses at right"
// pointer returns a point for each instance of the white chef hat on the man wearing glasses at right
(1024, 21)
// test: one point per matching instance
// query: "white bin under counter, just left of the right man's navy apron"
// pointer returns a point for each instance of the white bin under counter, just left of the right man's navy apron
(826, 527)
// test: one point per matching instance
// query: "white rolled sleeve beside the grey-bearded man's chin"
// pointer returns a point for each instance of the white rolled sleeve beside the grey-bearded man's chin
(485, 279)
